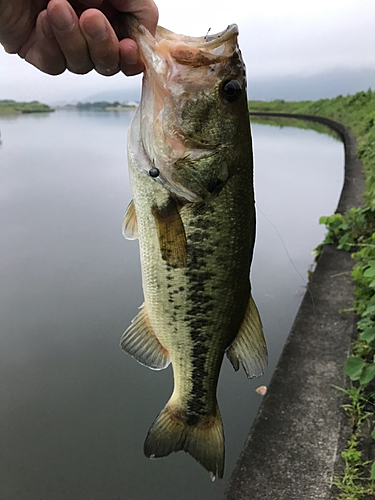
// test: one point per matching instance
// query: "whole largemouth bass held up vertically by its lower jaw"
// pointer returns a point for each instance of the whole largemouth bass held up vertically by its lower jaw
(191, 174)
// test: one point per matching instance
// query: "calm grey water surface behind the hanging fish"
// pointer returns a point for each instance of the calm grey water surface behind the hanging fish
(75, 408)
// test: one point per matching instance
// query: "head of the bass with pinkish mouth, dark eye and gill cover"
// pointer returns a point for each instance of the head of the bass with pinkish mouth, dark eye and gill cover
(193, 110)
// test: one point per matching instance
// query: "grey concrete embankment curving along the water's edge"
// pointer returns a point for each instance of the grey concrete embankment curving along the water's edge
(293, 449)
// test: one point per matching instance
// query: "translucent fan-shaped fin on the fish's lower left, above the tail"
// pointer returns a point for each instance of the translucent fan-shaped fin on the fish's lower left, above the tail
(140, 341)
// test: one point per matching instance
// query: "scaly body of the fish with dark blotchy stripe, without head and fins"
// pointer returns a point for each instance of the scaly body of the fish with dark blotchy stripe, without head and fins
(196, 311)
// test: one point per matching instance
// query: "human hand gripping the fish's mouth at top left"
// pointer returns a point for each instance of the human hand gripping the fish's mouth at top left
(55, 35)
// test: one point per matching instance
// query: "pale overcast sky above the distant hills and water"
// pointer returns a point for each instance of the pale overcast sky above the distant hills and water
(289, 39)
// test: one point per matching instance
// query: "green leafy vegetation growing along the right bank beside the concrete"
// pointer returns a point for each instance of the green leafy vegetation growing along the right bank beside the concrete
(353, 231)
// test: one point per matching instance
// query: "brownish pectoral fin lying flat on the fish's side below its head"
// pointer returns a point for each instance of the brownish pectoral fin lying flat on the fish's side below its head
(171, 233)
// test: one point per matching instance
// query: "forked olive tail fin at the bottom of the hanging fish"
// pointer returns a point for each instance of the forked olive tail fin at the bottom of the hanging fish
(204, 441)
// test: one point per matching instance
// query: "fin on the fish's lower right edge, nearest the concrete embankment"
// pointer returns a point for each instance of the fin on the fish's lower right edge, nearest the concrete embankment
(249, 347)
